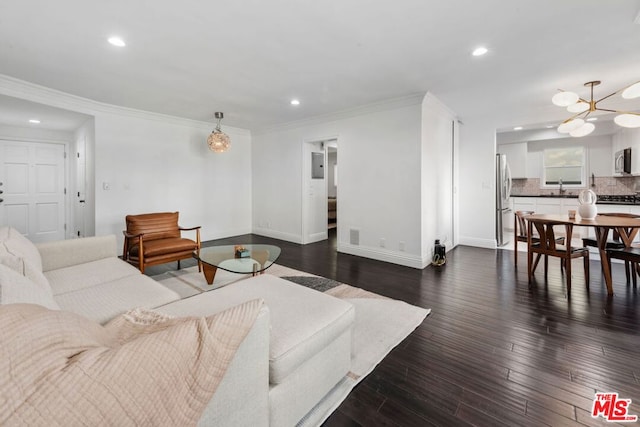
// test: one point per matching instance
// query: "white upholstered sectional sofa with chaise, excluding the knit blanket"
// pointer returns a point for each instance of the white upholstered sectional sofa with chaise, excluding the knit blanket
(298, 349)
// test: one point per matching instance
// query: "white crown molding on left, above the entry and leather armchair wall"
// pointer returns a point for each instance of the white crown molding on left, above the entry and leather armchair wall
(22, 89)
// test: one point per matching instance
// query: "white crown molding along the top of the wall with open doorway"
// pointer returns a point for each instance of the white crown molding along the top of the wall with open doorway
(375, 107)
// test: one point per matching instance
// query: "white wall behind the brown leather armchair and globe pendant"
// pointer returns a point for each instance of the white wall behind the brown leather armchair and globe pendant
(153, 166)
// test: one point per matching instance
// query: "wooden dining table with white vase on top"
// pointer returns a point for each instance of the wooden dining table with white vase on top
(626, 227)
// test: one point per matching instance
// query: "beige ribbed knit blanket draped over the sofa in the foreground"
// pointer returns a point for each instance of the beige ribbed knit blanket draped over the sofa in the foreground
(143, 368)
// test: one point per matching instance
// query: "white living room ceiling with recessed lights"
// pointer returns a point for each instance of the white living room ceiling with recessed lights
(250, 58)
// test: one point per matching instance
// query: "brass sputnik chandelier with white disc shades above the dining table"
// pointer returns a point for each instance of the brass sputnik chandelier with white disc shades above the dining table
(577, 124)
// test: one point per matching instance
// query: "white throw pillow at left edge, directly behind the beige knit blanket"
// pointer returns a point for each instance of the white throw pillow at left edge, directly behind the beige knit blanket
(16, 288)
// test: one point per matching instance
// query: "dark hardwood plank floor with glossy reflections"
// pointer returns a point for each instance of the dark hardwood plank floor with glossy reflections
(494, 350)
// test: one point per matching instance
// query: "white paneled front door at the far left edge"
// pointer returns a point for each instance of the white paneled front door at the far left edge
(32, 177)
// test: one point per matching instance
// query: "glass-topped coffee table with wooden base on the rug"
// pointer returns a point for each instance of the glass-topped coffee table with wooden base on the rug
(242, 259)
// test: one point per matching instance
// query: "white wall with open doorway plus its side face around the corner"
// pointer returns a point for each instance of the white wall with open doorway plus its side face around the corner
(392, 162)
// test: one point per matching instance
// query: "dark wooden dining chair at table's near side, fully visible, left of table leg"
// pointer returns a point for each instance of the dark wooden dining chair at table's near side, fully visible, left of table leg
(547, 245)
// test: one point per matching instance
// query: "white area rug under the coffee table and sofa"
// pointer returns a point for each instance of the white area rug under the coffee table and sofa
(381, 324)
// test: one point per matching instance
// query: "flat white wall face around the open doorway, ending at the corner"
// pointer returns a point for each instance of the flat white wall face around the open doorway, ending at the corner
(379, 178)
